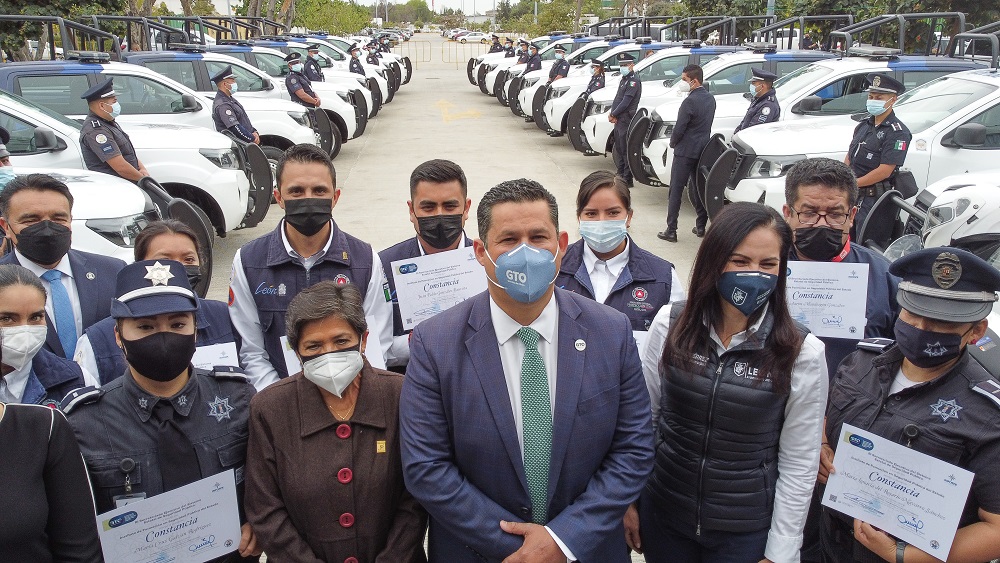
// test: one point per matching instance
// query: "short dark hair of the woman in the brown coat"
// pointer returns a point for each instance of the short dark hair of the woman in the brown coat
(320, 301)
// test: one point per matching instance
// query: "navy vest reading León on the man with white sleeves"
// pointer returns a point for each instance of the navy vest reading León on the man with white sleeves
(275, 278)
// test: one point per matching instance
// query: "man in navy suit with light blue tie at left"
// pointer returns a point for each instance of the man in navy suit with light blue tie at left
(36, 214)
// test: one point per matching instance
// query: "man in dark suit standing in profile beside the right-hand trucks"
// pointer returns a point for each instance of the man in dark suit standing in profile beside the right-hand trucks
(689, 138)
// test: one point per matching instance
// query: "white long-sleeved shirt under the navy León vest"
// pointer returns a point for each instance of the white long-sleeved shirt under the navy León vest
(246, 318)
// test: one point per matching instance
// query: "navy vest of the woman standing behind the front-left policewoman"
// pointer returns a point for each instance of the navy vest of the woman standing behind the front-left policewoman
(212, 321)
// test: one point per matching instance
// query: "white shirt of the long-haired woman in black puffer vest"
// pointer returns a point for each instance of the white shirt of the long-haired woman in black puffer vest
(801, 432)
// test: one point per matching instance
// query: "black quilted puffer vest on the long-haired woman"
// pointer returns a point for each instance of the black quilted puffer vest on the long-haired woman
(716, 462)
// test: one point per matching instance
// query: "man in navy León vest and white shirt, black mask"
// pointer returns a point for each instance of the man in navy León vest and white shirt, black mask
(306, 248)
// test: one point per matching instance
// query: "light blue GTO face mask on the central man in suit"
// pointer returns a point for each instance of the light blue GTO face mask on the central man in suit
(525, 273)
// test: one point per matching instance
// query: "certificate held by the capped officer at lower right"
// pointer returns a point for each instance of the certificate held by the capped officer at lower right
(907, 494)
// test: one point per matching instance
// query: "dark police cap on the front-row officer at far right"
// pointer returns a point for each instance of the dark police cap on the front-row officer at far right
(946, 284)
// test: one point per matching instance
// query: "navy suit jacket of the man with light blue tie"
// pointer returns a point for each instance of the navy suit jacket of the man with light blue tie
(95, 277)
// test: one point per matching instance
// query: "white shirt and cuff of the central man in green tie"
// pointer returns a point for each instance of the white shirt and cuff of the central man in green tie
(511, 357)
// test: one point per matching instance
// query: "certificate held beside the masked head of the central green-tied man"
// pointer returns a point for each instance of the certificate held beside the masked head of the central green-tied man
(427, 285)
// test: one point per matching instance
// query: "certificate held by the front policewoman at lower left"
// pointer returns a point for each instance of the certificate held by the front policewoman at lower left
(192, 524)
